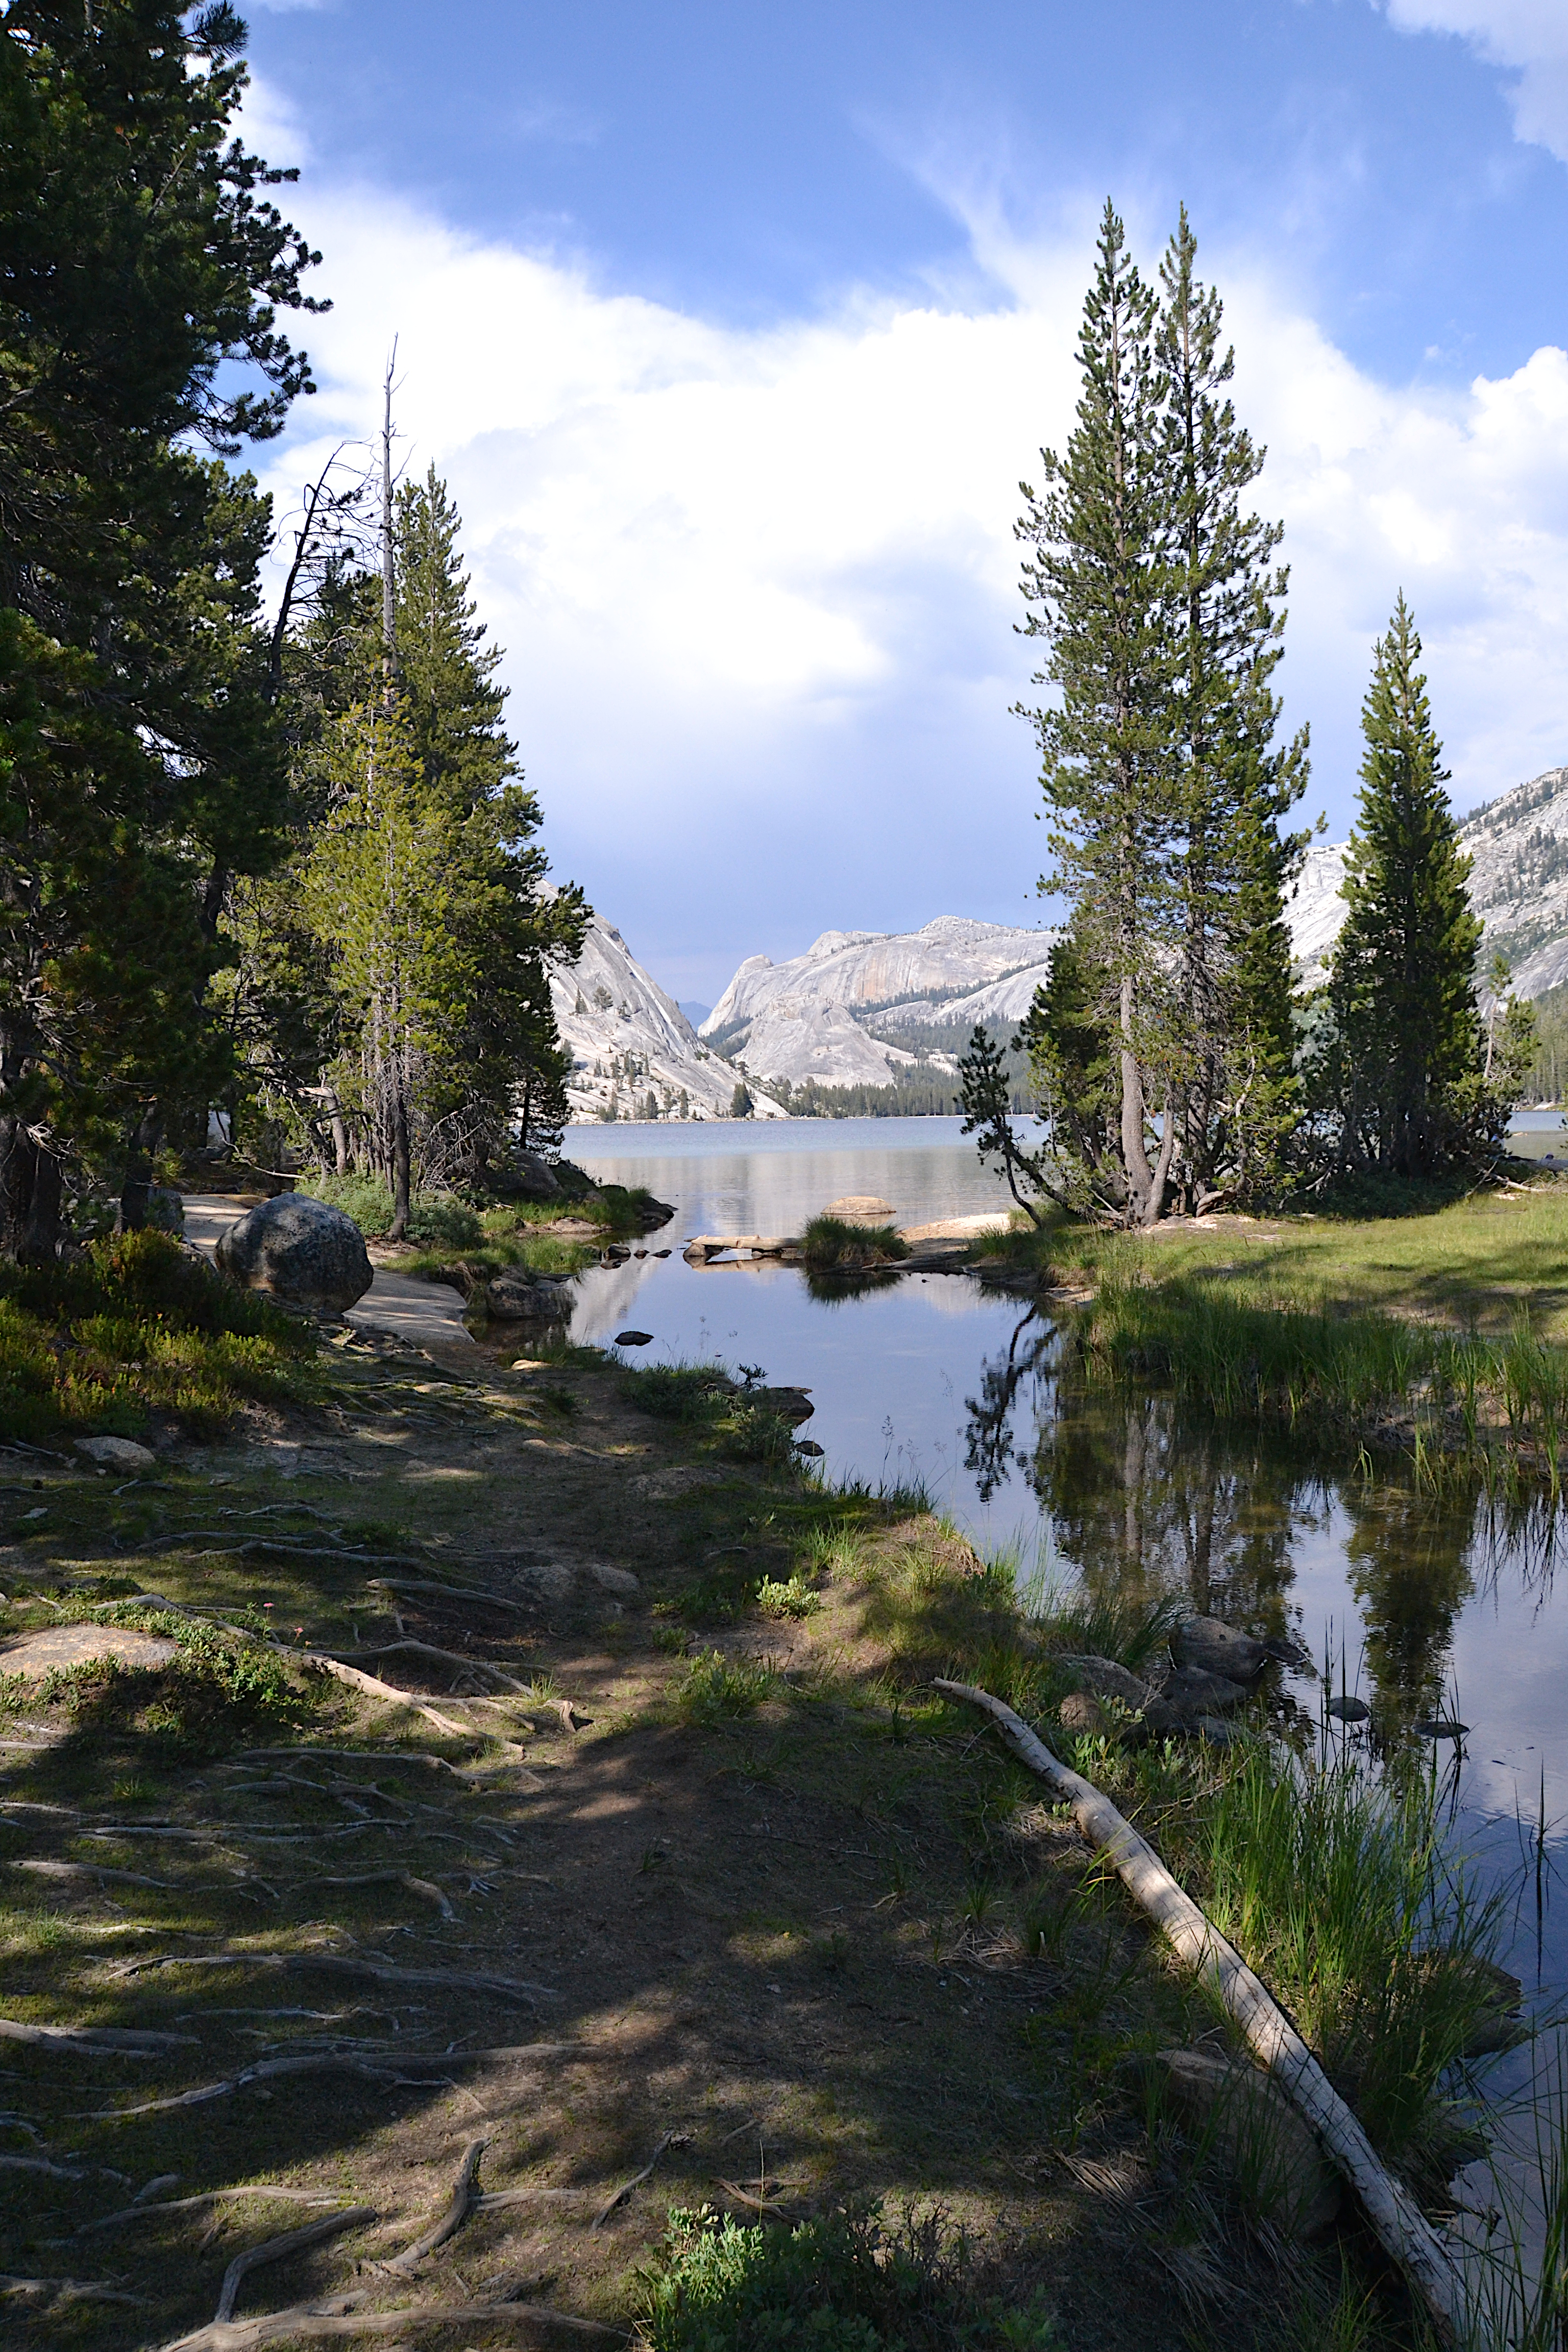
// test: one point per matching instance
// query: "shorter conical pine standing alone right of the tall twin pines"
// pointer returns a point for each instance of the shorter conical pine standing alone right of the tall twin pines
(1405, 1069)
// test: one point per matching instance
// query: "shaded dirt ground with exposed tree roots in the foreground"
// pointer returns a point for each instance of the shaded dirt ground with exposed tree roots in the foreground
(768, 1927)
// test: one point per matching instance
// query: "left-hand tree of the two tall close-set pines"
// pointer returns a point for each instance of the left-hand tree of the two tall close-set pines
(1099, 584)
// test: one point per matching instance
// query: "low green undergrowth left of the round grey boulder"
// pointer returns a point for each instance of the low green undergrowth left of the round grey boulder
(140, 1328)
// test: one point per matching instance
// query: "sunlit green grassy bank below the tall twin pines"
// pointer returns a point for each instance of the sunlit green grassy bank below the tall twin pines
(1440, 1337)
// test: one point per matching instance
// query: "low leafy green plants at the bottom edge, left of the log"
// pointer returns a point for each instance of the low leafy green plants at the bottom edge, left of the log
(838, 2283)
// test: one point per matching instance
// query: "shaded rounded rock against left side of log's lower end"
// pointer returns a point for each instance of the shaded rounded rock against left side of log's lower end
(1247, 2123)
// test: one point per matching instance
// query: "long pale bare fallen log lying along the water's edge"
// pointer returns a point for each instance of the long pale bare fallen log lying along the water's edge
(1400, 2224)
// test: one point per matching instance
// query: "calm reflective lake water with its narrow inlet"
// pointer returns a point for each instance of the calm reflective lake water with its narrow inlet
(1419, 1608)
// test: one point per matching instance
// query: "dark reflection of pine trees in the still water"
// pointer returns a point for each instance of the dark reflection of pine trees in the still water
(1148, 1502)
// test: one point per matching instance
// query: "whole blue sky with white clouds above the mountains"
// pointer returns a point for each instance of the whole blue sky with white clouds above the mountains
(735, 330)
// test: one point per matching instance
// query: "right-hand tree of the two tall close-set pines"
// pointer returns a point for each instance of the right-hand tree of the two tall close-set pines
(1231, 867)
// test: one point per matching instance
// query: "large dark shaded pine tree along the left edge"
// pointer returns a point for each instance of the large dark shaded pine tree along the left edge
(138, 747)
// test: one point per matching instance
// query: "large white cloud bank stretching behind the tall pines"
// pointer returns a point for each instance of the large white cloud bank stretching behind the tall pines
(758, 587)
